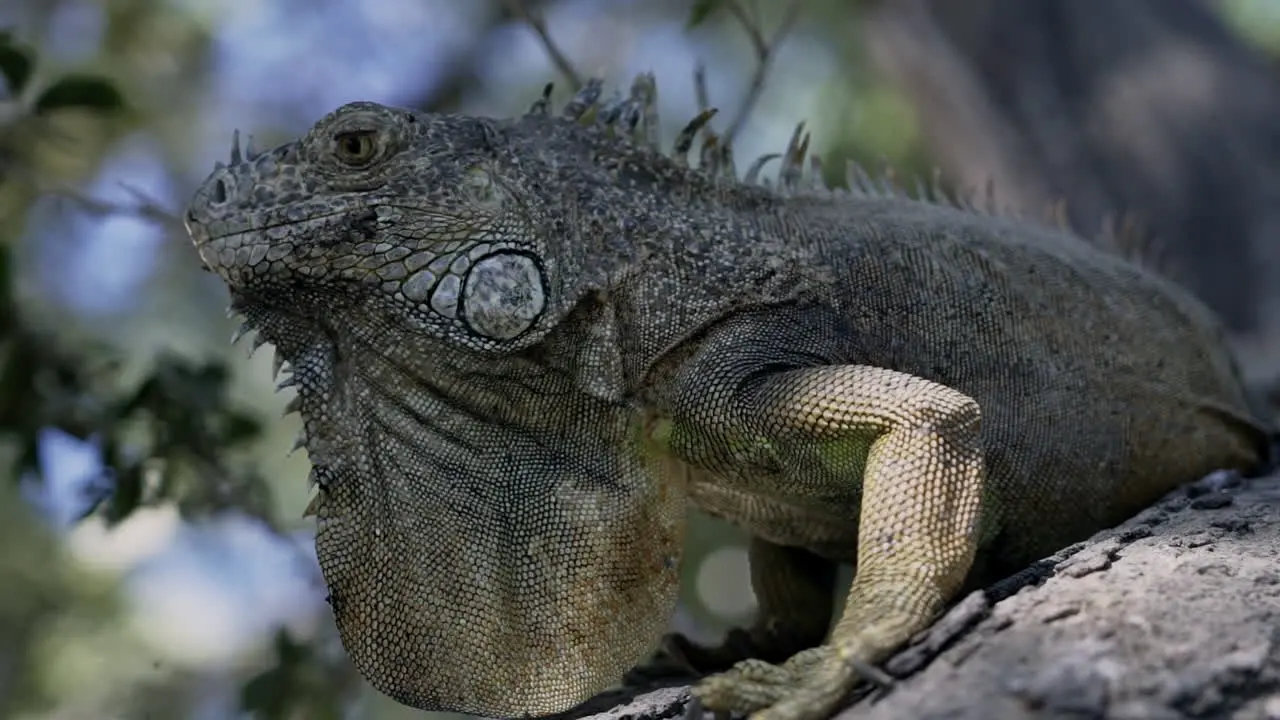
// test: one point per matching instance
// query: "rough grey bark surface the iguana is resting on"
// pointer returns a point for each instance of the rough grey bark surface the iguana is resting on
(1171, 616)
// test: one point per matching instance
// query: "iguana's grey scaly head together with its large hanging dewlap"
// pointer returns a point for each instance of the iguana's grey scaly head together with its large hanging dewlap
(493, 534)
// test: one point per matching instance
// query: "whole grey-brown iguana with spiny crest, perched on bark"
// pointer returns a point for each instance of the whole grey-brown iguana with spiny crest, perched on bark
(524, 348)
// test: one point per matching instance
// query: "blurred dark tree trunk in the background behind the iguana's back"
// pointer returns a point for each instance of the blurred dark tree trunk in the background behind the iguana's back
(1145, 107)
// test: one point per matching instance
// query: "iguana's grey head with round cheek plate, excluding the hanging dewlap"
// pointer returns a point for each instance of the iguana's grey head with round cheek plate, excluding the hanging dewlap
(412, 212)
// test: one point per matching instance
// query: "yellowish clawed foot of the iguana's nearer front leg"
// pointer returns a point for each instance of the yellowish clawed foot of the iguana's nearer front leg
(807, 687)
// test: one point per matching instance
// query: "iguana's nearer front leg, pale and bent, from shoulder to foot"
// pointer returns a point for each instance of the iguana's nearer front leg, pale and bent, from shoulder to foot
(748, 403)
